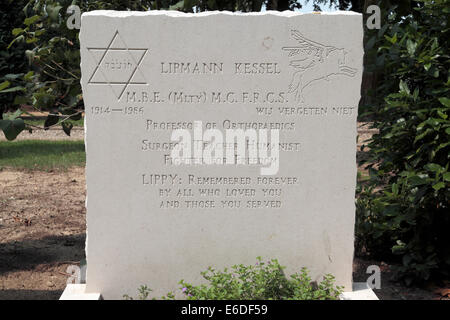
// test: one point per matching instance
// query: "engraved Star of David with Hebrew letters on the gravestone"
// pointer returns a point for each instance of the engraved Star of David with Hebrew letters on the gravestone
(117, 65)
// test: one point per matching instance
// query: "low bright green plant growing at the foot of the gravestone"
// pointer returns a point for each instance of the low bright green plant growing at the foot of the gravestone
(263, 281)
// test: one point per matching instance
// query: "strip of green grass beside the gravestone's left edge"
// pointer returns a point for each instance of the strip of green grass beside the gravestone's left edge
(41, 154)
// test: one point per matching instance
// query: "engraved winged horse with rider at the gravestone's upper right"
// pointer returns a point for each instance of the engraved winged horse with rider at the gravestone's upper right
(314, 62)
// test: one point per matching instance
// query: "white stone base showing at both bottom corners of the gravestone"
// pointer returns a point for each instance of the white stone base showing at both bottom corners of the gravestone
(361, 291)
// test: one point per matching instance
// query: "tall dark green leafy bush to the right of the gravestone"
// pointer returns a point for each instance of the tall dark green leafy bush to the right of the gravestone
(404, 208)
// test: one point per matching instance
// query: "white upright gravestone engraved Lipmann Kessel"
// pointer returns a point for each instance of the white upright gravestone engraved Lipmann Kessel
(215, 138)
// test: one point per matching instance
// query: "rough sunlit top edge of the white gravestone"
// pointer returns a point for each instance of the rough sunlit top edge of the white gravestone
(287, 13)
